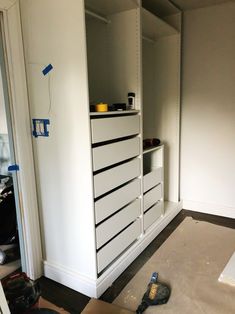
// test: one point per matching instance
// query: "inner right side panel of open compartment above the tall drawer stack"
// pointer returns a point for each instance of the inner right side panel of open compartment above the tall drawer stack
(124, 65)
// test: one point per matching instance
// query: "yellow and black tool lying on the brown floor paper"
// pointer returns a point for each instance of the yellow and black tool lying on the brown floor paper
(156, 294)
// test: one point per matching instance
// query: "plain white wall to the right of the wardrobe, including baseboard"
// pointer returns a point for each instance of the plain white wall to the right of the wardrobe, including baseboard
(208, 110)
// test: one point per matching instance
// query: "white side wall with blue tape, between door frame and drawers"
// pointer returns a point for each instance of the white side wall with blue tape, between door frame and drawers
(54, 32)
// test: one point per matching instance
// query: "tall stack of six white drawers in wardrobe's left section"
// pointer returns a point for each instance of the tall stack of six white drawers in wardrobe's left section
(117, 184)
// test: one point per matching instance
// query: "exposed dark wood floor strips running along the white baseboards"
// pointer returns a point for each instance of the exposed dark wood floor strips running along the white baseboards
(75, 302)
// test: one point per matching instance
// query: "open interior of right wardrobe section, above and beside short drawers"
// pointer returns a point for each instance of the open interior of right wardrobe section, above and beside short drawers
(161, 95)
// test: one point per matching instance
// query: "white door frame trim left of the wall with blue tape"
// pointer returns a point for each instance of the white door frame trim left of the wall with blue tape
(22, 138)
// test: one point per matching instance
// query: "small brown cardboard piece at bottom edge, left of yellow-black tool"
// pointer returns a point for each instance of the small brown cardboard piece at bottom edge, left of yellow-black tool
(101, 307)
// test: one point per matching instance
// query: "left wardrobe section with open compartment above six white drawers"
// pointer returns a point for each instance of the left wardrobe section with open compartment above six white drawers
(112, 33)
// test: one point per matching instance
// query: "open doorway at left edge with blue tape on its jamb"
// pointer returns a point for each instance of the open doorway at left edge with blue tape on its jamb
(12, 255)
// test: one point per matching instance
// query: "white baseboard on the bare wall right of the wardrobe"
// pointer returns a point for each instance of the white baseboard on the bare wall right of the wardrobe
(212, 209)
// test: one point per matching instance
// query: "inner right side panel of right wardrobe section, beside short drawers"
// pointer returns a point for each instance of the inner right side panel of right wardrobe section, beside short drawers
(167, 96)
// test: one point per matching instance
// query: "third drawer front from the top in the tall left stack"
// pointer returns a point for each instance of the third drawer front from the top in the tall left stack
(112, 178)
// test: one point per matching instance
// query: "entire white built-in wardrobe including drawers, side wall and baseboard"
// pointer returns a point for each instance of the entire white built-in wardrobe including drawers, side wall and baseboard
(118, 197)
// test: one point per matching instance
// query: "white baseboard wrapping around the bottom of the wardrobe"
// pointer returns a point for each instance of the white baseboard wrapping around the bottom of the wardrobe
(95, 288)
